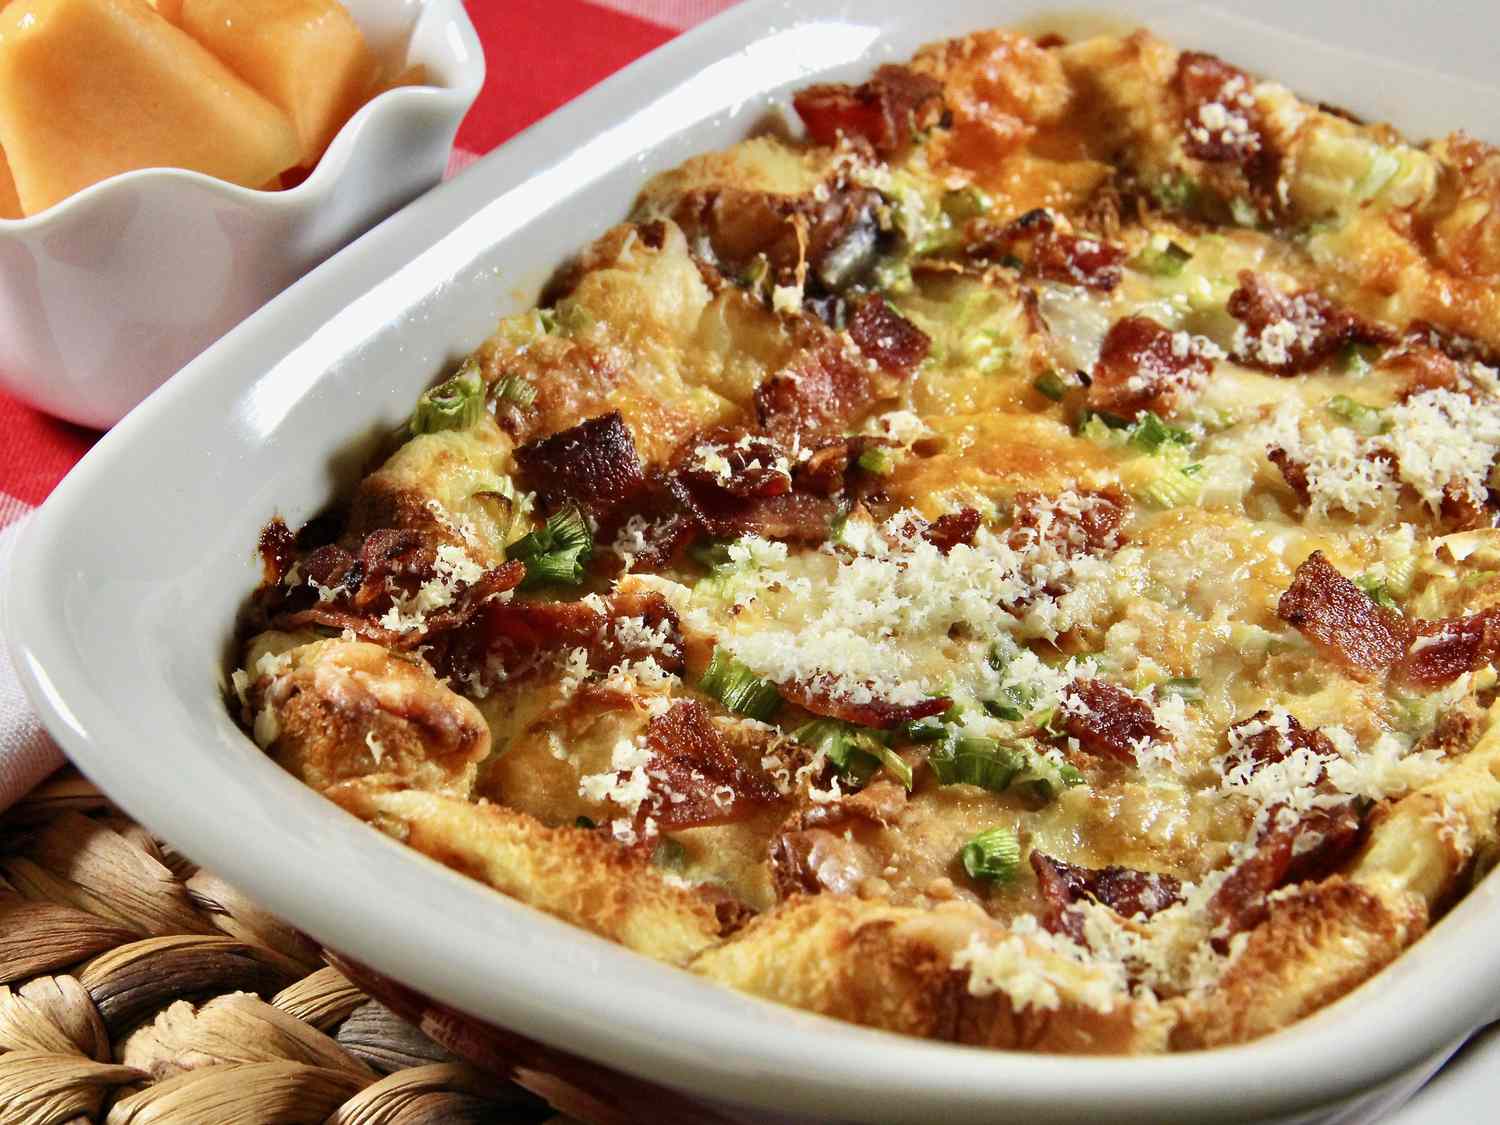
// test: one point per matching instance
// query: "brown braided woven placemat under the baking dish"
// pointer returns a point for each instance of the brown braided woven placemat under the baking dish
(137, 989)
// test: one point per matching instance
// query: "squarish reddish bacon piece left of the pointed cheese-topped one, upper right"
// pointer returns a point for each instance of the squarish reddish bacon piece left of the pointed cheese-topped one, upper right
(1144, 367)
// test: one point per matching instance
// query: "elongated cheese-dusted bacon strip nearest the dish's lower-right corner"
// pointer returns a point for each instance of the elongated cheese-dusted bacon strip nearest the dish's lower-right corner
(1289, 850)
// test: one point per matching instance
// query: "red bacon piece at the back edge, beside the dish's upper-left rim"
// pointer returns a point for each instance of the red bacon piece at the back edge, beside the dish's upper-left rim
(889, 112)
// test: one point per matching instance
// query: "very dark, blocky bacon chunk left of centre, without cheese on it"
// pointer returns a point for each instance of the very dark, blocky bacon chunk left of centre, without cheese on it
(593, 464)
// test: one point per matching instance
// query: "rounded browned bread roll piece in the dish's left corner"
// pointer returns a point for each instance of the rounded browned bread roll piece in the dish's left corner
(338, 710)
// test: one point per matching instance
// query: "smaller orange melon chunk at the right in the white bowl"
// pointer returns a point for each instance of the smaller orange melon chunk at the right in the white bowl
(307, 56)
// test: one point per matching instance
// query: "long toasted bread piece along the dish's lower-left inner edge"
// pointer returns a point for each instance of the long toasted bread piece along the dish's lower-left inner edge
(574, 874)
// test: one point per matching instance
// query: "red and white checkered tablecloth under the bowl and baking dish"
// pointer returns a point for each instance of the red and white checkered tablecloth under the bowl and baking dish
(541, 55)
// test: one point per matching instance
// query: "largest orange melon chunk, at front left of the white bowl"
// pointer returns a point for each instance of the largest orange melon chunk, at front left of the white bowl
(97, 88)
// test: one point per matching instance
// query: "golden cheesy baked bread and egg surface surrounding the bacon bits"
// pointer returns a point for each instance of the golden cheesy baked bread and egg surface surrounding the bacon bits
(503, 775)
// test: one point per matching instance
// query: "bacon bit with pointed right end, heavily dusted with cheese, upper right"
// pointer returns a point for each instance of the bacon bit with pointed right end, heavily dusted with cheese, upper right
(1292, 334)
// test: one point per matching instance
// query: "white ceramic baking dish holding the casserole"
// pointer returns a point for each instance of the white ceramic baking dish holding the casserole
(124, 596)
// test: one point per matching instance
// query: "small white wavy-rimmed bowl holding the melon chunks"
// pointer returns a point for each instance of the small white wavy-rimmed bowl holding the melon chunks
(109, 293)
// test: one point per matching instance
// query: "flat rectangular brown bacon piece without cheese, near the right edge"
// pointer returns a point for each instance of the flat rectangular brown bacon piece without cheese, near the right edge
(1342, 622)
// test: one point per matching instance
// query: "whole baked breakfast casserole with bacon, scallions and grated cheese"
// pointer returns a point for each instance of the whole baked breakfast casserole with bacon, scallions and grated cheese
(1006, 557)
